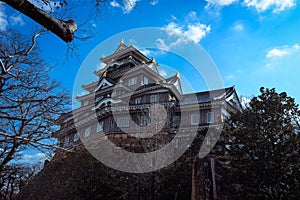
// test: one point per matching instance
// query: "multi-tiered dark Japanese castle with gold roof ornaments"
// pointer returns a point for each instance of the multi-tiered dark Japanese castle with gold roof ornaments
(134, 93)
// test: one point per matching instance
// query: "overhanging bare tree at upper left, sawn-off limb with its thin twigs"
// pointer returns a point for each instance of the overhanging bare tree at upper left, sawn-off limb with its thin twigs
(44, 12)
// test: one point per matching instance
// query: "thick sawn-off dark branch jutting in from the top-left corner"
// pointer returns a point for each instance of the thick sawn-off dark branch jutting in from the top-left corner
(63, 29)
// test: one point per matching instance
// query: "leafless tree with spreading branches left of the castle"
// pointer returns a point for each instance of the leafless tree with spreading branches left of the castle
(30, 101)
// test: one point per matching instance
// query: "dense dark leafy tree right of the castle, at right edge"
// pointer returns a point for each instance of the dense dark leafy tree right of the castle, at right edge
(263, 148)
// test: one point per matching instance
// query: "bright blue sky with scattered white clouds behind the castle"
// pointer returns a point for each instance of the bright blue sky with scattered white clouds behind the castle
(253, 43)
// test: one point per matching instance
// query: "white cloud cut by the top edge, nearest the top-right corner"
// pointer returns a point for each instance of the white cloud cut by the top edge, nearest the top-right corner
(276, 5)
